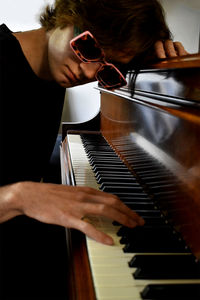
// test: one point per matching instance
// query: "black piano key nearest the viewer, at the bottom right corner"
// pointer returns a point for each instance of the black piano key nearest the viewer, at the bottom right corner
(171, 292)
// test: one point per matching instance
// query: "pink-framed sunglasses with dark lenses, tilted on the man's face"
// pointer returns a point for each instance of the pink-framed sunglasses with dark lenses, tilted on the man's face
(87, 49)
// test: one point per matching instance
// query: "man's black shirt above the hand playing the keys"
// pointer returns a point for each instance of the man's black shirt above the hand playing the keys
(30, 113)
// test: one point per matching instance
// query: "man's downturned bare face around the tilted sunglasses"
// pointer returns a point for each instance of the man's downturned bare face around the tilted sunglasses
(66, 68)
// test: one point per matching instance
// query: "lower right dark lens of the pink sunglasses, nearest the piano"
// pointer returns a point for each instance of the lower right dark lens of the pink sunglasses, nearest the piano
(109, 77)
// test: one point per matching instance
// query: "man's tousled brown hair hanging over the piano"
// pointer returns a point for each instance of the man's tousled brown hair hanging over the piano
(130, 26)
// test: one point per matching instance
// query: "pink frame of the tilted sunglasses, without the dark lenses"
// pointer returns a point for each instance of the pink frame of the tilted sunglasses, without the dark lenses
(101, 60)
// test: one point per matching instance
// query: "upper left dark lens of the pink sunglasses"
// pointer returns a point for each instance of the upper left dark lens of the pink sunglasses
(87, 47)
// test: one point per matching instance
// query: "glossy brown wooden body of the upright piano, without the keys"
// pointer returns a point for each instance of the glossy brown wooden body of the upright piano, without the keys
(161, 115)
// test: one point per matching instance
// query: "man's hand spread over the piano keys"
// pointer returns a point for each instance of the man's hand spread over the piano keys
(66, 205)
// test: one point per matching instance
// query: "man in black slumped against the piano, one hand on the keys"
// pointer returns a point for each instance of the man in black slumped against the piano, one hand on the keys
(35, 68)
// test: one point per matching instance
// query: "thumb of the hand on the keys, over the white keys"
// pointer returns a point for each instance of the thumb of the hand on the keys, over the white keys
(91, 231)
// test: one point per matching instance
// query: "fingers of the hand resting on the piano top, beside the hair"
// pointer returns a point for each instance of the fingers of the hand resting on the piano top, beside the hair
(169, 48)
